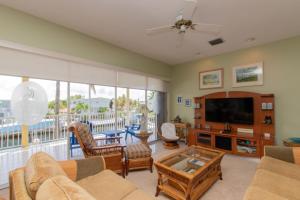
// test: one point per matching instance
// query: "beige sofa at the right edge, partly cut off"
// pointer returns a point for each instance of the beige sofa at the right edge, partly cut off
(277, 176)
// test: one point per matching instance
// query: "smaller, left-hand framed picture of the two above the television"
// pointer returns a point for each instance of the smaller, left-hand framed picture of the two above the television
(211, 79)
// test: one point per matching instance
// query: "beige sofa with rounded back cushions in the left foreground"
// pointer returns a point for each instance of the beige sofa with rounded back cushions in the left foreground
(44, 178)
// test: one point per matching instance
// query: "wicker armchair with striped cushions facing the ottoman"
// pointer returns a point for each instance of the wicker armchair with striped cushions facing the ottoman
(110, 148)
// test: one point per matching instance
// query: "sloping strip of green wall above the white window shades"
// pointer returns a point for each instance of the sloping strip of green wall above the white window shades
(25, 29)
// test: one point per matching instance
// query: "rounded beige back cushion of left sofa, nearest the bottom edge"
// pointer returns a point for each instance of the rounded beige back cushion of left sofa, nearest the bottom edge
(62, 188)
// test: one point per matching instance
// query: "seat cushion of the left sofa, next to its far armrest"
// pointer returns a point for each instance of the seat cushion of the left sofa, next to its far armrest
(107, 185)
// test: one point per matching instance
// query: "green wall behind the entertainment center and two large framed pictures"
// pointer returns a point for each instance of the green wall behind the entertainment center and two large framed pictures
(281, 77)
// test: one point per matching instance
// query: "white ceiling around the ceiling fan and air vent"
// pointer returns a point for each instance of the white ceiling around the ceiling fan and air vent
(123, 23)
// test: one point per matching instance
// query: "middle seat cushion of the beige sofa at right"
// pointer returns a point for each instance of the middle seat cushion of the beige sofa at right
(277, 184)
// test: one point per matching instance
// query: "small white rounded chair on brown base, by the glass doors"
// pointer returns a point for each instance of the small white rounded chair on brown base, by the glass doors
(168, 135)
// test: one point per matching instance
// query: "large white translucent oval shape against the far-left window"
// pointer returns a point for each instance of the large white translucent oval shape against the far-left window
(29, 103)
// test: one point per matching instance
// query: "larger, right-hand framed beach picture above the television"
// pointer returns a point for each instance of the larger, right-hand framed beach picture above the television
(248, 75)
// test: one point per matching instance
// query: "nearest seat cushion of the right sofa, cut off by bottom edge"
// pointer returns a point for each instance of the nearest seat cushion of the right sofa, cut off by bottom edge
(255, 193)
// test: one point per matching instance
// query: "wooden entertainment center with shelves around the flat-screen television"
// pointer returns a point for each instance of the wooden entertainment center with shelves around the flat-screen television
(243, 139)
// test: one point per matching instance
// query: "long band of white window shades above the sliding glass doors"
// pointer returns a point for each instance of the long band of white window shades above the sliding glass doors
(20, 63)
